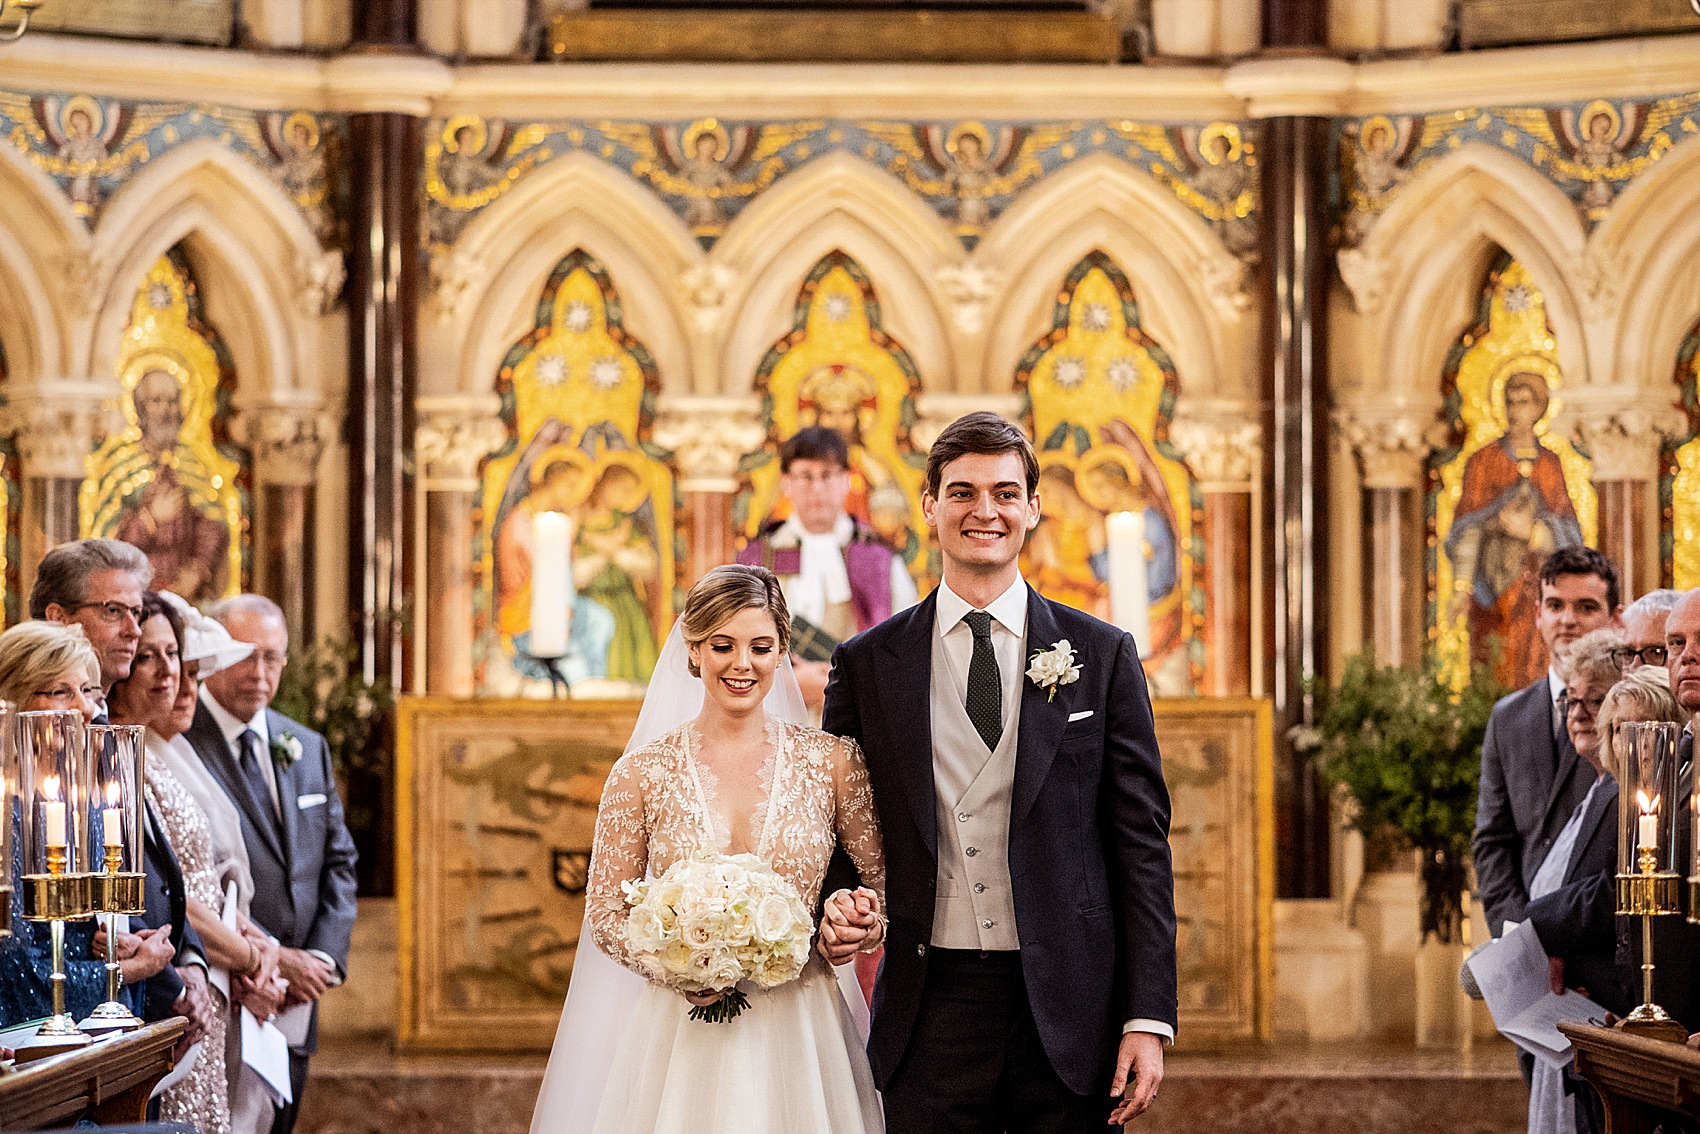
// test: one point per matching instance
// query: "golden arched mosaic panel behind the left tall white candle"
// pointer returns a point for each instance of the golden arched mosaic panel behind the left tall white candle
(579, 402)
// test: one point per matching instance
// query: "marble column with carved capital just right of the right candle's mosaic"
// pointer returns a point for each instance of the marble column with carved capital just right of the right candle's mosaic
(1227, 458)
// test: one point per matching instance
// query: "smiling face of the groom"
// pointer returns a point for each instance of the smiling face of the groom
(983, 511)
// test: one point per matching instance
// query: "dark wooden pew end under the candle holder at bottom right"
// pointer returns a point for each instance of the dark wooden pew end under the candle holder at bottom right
(1645, 1082)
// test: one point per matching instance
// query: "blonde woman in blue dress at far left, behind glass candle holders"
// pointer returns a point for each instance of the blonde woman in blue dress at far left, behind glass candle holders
(45, 666)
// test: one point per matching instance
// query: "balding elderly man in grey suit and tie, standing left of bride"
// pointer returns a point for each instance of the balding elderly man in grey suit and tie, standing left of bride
(280, 774)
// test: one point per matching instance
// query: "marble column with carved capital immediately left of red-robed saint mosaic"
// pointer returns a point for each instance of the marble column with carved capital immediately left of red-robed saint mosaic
(1391, 463)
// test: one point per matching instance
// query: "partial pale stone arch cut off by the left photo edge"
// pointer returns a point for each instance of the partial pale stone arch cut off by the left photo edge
(40, 251)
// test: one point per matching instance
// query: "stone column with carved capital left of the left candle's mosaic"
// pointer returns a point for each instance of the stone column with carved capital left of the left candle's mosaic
(455, 436)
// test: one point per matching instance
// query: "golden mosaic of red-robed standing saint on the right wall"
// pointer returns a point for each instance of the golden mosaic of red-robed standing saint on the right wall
(1509, 492)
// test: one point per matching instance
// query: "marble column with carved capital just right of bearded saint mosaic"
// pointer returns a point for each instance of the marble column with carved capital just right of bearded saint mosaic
(286, 443)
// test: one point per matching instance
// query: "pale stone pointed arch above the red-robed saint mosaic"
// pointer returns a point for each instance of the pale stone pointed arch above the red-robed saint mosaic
(1422, 266)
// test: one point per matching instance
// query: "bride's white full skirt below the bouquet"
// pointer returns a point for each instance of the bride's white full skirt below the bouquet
(791, 1062)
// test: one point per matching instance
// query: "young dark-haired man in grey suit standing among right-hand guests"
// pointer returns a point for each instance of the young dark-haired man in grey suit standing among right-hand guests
(1533, 778)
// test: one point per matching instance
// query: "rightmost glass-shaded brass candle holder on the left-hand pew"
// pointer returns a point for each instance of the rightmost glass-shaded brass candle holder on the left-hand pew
(118, 781)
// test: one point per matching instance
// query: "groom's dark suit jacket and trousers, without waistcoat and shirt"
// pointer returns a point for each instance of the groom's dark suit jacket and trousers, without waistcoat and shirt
(1019, 1041)
